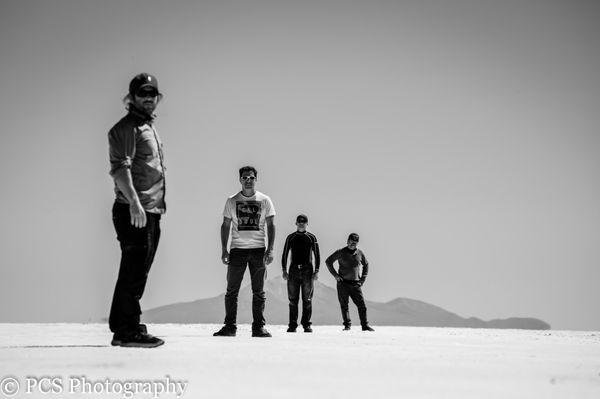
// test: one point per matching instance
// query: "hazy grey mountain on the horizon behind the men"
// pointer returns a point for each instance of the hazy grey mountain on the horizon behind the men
(326, 311)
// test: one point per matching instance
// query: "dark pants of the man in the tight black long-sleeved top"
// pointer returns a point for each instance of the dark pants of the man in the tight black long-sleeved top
(300, 279)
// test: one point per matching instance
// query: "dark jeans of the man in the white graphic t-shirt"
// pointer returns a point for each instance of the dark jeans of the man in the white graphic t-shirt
(238, 260)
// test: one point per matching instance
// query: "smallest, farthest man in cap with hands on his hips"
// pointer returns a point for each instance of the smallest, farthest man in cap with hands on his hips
(350, 280)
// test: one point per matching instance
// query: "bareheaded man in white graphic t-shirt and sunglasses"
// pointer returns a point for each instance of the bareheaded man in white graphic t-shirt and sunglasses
(246, 214)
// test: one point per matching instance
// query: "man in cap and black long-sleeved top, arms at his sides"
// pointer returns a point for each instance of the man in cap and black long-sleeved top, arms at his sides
(301, 275)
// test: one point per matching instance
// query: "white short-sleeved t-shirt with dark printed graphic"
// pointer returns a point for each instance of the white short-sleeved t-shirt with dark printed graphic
(248, 216)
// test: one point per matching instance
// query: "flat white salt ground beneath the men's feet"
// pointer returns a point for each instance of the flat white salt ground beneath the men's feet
(392, 362)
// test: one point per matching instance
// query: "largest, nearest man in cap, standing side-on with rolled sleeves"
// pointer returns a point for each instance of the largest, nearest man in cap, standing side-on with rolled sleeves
(137, 168)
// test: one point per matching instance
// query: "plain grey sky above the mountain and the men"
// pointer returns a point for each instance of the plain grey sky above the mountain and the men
(459, 138)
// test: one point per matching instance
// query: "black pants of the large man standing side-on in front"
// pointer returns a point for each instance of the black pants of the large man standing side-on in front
(138, 247)
